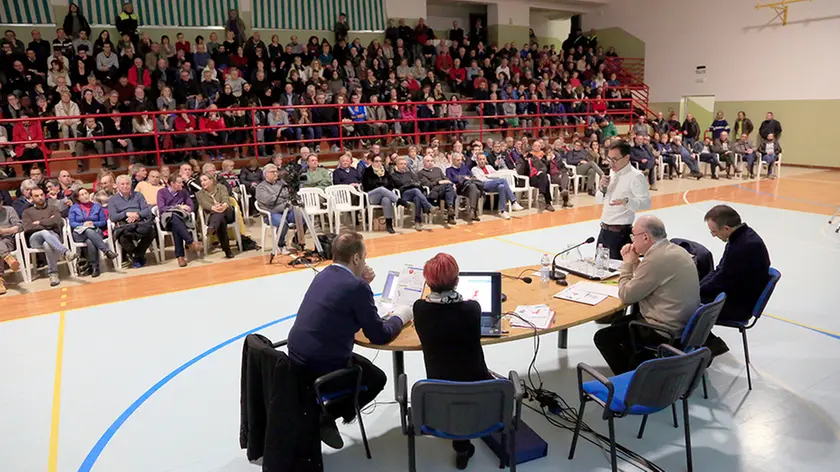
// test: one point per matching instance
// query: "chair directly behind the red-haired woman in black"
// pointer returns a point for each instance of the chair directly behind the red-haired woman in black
(461, 411)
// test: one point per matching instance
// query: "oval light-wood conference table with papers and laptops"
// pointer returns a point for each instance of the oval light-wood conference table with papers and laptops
(567, 314)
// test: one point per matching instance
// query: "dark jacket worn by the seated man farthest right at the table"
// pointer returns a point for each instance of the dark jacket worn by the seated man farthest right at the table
(743, 273)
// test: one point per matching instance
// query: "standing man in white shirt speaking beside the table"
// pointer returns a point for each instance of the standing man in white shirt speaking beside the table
(623, 192)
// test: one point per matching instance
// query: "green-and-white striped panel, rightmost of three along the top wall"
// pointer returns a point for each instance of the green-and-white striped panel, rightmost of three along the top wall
(362, 15)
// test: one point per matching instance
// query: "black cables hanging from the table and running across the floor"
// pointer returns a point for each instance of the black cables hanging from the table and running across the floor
(560, 414)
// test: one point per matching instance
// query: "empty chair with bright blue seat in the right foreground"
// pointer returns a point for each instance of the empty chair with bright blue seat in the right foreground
(655, 385)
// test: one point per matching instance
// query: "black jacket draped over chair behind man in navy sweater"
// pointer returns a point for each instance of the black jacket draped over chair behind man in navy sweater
(279, 413)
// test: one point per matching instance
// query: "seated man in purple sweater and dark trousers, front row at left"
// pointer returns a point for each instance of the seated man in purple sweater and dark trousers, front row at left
(175, 207)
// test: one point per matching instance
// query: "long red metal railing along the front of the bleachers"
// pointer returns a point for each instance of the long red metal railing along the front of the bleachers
(618, 109)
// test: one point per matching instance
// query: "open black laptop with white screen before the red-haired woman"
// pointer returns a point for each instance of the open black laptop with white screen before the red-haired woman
(486, 289)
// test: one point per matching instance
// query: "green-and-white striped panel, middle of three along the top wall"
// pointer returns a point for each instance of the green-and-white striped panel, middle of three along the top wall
(161, 12)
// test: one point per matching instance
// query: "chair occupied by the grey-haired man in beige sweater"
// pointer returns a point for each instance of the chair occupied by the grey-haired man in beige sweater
(694, 334)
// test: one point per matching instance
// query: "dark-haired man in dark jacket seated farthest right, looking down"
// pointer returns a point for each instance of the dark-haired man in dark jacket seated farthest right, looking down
(743, 271)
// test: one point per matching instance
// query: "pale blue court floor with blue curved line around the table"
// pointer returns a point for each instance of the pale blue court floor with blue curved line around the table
(153, 384)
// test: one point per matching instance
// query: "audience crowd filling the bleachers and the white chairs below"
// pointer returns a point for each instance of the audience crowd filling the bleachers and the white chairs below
(432, 122)
